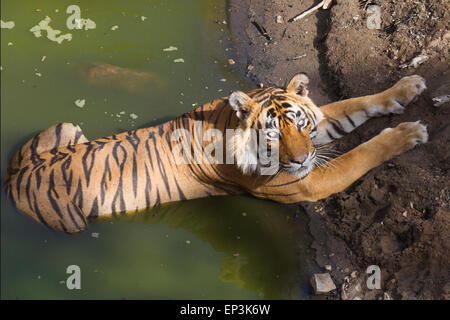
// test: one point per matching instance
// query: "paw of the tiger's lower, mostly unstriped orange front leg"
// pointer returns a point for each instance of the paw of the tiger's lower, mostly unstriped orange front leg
(403, 137)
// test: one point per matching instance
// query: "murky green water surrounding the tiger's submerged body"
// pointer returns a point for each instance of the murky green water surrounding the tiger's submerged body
(216, 248)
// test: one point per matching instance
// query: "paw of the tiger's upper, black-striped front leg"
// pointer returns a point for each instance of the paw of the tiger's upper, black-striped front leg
(402, 93)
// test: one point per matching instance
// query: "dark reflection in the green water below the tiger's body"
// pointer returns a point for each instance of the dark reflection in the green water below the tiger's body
(264, 250)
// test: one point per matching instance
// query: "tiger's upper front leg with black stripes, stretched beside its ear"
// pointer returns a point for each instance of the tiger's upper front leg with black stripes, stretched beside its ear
(344, 116)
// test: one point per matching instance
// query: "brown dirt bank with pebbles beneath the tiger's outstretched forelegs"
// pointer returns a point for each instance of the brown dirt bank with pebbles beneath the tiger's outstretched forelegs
(398, 215)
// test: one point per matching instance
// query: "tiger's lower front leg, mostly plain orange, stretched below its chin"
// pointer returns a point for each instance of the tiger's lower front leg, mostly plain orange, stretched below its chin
(341, 172)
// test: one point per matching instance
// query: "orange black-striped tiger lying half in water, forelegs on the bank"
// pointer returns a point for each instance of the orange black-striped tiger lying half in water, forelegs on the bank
(62, 180)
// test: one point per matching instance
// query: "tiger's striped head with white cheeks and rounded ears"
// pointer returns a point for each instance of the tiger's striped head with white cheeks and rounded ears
(288, 121)
